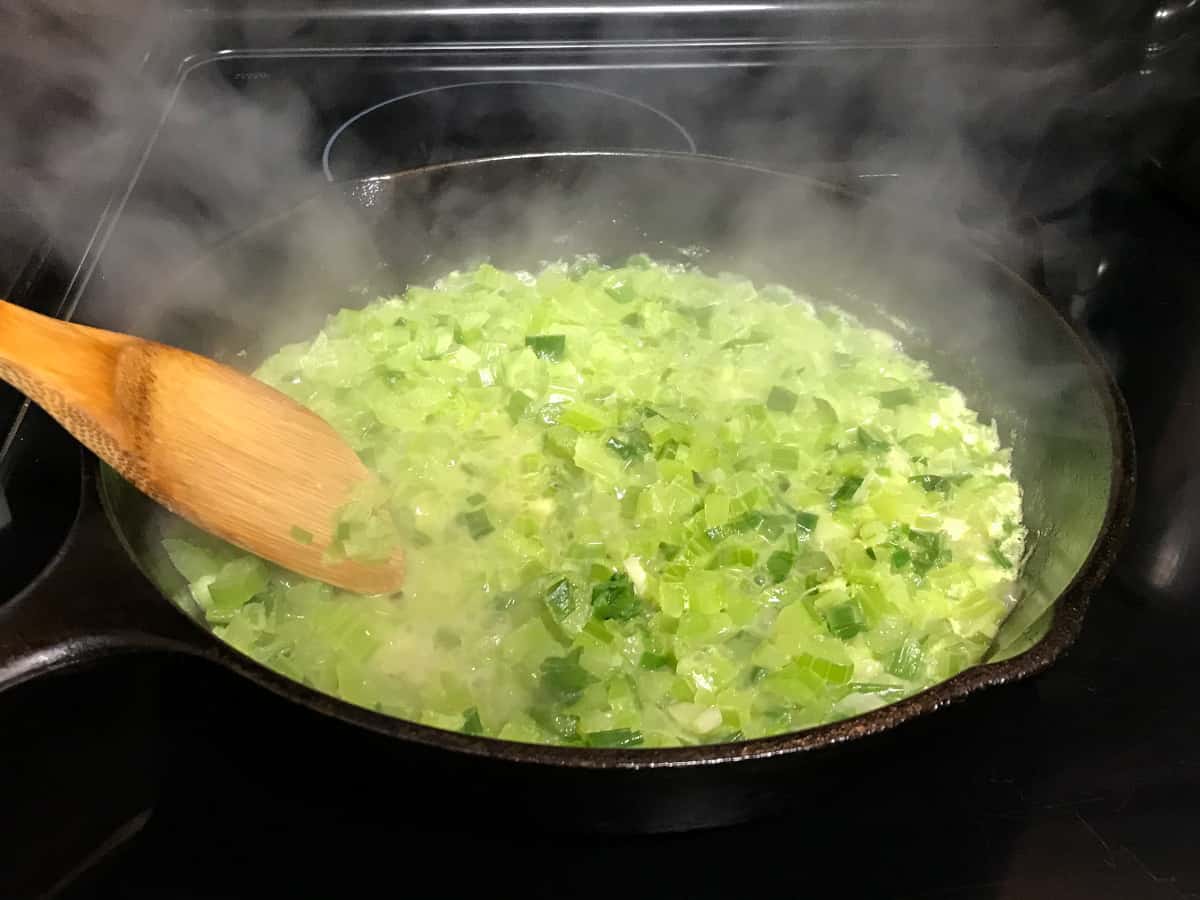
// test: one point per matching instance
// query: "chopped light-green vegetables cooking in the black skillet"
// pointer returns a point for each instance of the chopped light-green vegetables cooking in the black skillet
(625, 545)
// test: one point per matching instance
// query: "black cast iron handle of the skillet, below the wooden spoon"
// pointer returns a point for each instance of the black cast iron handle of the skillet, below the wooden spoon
(91, 603)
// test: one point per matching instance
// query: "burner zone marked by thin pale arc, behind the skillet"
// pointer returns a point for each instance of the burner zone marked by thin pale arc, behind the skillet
(680, 137)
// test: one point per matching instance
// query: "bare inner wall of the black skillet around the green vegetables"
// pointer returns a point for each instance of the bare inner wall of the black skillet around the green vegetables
(977, 326)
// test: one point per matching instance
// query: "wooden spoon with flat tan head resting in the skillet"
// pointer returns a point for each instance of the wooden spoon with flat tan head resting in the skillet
(219, 448)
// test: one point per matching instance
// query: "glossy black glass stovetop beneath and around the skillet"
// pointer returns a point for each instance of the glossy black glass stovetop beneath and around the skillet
(152, 778)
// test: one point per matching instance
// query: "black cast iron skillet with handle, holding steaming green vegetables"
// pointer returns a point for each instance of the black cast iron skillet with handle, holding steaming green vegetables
(979, 326)
